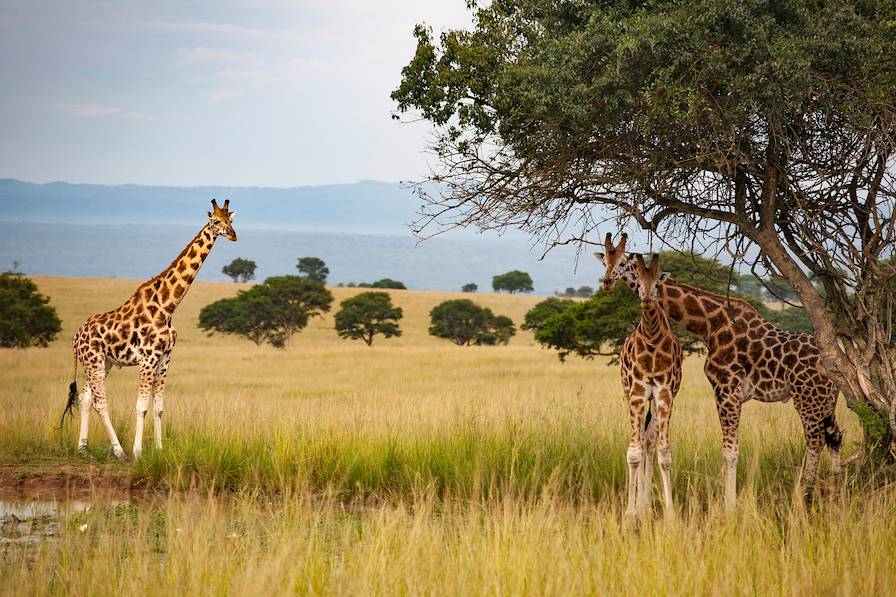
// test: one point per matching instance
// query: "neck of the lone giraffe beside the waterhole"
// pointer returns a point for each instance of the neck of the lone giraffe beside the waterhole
(168, 289)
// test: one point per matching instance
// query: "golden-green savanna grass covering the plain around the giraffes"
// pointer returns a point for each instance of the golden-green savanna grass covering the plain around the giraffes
(417, 466)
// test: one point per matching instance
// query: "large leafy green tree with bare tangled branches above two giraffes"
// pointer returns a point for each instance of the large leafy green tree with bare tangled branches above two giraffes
(758, 127)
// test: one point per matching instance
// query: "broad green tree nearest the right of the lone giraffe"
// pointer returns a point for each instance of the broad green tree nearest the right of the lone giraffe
(270, 312)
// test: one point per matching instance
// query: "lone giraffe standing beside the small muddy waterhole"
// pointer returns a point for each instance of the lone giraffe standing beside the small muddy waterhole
(139, 333)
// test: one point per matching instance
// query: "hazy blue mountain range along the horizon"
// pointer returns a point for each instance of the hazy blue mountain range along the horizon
(359, 229)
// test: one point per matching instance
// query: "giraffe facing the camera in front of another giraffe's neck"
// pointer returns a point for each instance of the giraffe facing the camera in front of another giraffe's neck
(651, 376)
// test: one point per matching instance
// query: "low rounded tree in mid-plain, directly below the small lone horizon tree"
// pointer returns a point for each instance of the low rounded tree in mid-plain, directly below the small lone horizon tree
(464, 322)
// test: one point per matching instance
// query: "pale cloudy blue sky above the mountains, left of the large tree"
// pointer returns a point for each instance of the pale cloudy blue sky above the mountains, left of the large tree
(233, 92)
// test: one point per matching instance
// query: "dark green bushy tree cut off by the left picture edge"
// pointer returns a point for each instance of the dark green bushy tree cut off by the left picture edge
(26, 316)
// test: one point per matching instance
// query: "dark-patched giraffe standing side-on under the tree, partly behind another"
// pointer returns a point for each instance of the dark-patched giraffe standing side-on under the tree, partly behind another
(748, 358)
